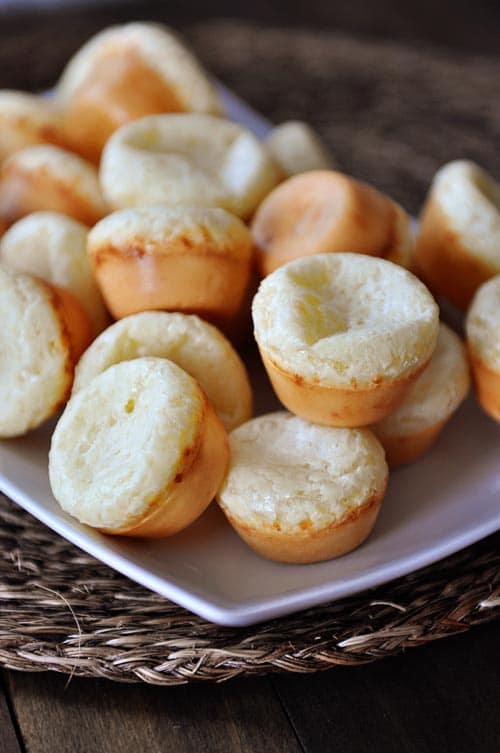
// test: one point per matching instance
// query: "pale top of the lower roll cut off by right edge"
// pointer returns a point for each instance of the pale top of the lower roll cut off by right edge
(483, 323)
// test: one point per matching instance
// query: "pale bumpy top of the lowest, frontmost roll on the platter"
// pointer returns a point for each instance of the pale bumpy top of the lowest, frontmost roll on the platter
(296, 477)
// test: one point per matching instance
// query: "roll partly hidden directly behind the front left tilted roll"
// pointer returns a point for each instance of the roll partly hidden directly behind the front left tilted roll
(191, 343)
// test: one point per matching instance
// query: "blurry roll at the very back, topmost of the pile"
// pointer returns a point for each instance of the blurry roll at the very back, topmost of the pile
(124, 73)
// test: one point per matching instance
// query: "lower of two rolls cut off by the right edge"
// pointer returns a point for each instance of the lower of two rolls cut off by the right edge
(483, 343)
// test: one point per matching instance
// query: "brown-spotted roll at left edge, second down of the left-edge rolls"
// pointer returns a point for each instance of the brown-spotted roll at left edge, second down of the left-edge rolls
(46, 177)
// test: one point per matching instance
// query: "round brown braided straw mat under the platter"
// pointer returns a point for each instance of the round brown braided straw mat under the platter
(392, 114)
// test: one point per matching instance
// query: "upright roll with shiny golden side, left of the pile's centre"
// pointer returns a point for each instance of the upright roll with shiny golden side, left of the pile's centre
(192, 260)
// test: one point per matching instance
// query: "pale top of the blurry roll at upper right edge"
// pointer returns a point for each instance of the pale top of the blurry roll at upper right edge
(470, 199)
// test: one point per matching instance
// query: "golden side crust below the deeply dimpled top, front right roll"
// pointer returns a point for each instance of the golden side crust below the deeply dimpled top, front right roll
(339, 406)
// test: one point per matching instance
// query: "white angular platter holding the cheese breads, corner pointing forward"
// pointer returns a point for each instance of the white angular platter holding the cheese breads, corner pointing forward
(444, 502)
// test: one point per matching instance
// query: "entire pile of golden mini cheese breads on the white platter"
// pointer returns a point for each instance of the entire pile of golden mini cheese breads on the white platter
(129, 195)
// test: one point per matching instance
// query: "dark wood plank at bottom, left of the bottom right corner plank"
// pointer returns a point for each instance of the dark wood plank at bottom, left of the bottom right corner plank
(243, 716)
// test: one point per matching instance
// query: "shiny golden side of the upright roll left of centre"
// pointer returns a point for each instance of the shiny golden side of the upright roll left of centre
(209, 285)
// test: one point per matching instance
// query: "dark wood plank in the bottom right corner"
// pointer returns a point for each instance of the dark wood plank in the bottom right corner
(441, 697)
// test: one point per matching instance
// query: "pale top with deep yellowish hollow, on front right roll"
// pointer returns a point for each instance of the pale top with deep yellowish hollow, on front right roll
(345, 320)
